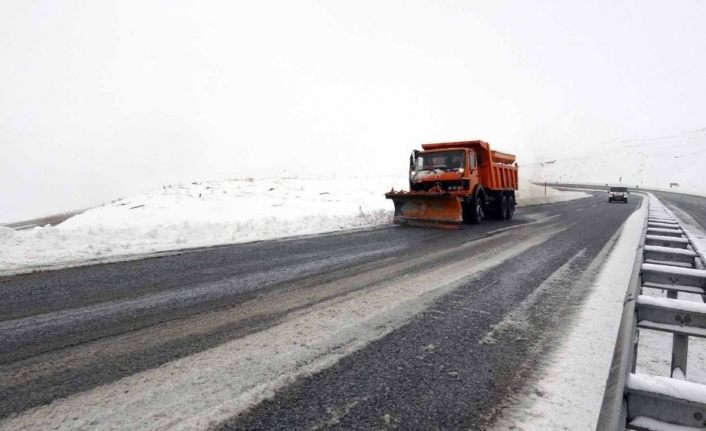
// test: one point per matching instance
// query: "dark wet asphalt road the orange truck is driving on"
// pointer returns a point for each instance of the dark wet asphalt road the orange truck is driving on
(450, 363)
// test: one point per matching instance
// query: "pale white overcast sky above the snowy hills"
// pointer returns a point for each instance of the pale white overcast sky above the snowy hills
(103, 99)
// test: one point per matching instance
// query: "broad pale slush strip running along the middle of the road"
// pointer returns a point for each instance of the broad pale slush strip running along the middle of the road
(201, 390)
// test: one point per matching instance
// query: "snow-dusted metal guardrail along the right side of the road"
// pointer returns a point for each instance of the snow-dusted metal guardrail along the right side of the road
(667, 260)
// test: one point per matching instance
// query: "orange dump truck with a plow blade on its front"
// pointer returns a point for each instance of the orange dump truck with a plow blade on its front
(457, 182)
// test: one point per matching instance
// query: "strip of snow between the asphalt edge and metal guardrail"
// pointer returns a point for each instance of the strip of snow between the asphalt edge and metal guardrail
(571, 383)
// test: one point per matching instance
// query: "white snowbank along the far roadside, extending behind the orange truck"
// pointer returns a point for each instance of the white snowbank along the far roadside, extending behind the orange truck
(213, 213)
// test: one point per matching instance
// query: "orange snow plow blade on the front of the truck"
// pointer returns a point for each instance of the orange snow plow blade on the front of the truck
(433, 209)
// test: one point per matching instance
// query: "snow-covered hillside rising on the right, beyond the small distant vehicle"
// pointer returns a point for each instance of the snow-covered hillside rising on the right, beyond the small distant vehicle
(651, 163)
